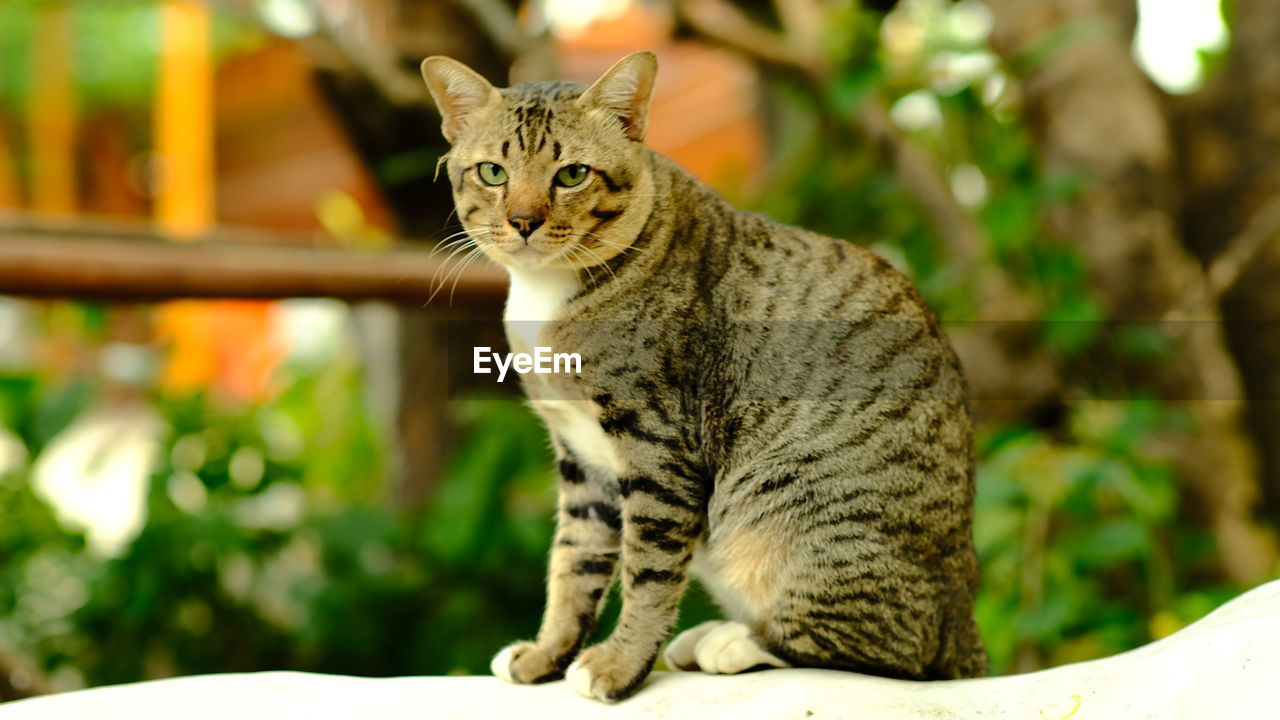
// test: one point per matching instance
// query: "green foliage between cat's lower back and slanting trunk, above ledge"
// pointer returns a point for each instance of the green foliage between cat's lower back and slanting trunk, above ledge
(1085, 550)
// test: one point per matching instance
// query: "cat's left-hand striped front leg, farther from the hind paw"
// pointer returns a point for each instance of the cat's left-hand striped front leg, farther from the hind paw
(582, 567)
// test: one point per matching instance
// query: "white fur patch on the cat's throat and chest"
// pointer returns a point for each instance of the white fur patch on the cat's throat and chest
(533, 299)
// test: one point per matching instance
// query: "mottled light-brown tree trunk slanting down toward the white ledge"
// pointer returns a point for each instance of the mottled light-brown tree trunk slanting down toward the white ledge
(1096, 117)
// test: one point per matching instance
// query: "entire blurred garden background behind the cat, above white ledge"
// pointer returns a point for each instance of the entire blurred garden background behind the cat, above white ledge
(231, 438)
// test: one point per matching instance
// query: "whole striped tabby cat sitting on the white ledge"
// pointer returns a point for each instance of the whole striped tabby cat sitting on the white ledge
(772, 411)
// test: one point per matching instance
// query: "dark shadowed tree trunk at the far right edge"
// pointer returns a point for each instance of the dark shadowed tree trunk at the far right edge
(1232, 177)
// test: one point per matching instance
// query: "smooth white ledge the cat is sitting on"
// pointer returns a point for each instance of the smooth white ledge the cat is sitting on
(1227, 666)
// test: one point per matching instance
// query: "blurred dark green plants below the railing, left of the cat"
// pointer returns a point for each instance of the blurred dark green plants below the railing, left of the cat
(271, 541)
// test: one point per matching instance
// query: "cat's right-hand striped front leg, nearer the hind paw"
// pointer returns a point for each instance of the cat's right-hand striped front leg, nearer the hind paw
(662, 517)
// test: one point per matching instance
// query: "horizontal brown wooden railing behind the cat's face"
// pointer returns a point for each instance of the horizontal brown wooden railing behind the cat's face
(130, 262)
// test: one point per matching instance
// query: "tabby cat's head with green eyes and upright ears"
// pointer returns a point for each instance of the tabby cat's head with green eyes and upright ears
(548, 175)
